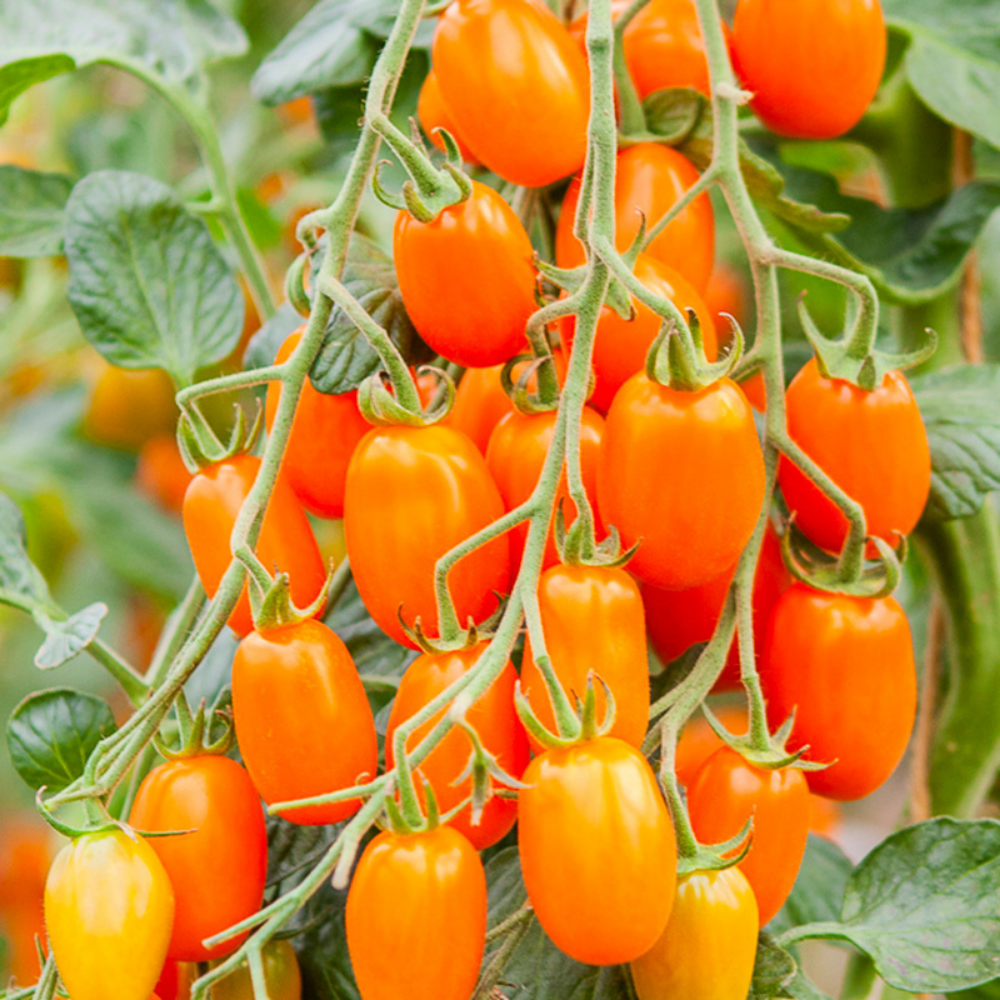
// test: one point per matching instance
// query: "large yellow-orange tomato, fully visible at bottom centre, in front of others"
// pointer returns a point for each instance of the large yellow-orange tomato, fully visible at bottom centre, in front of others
(598, 852)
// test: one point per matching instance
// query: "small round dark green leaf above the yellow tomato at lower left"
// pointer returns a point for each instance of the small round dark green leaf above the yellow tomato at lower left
(52, 733)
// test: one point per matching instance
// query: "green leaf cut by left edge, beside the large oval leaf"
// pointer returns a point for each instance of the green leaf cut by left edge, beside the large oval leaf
(31, 212)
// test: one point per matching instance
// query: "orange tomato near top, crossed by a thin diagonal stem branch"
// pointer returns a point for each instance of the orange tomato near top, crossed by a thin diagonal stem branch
(649, 179)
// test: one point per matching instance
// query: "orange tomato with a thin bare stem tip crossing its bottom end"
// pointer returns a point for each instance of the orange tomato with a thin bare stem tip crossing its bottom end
(302, 718)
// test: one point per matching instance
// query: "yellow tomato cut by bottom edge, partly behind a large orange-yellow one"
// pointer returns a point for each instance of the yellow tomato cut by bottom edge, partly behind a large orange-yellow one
(708, 950)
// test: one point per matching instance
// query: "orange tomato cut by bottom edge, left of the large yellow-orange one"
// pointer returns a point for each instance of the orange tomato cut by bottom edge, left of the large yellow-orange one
(416, 917)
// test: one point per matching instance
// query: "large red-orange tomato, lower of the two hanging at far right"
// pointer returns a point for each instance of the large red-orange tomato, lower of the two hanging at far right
(844, 665)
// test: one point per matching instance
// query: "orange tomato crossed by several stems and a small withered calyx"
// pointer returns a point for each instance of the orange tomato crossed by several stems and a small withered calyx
(493, 717)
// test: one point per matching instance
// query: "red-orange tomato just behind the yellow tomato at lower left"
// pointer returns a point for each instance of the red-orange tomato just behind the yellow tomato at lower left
(218, 870)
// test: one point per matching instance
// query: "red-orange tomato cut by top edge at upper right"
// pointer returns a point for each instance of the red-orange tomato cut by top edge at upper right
(832, 57)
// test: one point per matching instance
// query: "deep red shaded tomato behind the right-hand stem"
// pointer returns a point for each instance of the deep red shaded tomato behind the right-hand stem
(678, 619)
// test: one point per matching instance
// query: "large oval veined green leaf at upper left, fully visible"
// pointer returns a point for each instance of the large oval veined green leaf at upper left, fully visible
(147, 284)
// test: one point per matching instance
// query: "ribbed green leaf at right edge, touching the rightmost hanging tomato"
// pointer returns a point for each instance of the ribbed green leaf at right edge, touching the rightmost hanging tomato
(961, 411)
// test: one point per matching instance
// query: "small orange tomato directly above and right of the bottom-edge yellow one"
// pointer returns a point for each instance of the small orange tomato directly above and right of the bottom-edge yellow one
(726, 792)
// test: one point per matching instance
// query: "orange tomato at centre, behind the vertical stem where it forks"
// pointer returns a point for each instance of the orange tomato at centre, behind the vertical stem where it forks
(516, 454)
